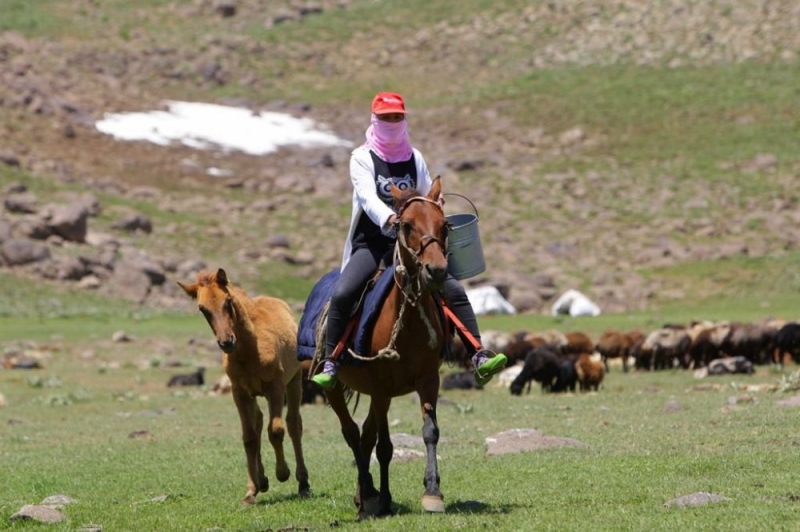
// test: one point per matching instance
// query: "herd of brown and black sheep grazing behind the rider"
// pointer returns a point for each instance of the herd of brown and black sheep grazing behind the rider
(563, 362)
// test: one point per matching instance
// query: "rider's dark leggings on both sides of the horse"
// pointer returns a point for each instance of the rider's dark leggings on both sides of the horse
(359, 270)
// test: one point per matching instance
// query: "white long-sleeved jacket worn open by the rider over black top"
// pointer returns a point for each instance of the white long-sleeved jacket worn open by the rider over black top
(365, 195)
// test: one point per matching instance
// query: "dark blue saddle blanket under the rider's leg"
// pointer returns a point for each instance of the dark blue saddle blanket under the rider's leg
(318, 298)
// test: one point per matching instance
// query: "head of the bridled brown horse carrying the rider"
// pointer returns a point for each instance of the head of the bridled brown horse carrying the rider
(422, 234)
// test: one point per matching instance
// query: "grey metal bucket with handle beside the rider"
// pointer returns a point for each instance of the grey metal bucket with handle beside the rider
(465, 253)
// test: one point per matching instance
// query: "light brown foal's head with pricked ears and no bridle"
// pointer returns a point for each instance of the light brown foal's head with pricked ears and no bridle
(211, 290)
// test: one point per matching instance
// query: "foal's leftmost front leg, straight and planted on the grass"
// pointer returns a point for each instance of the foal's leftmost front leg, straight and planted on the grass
(252, 424)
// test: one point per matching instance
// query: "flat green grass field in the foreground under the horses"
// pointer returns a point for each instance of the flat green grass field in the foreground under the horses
(67, 430)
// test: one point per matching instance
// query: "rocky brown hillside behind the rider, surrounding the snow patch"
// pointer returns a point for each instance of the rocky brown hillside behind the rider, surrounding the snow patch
(556, 212)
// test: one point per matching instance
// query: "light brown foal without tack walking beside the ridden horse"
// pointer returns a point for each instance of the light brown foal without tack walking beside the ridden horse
(258, 338)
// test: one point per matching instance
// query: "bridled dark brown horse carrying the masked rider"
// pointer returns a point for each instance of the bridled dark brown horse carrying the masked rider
(405, 354)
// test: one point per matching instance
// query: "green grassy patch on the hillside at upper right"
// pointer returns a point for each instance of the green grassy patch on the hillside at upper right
(644, 115)
